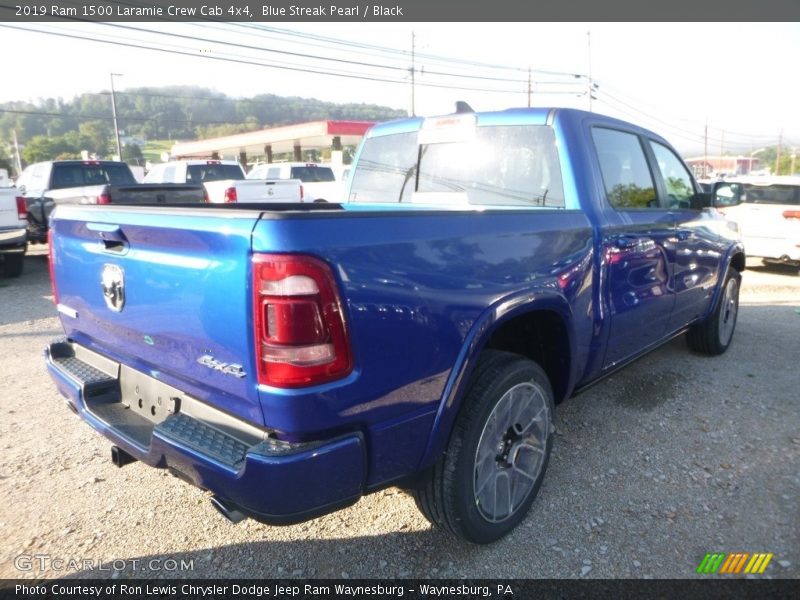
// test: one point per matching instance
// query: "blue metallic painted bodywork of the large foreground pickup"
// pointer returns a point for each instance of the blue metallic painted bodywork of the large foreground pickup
(423, 290)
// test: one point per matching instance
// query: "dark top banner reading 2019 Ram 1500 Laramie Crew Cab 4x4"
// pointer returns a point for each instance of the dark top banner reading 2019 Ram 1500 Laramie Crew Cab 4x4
(397, 10)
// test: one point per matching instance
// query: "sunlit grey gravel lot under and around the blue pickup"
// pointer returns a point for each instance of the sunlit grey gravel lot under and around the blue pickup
(673, 457)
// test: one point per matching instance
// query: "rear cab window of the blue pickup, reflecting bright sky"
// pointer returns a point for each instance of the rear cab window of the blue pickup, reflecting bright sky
(473, 165)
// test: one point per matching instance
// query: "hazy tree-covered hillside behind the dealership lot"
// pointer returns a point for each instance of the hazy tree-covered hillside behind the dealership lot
(55, 128)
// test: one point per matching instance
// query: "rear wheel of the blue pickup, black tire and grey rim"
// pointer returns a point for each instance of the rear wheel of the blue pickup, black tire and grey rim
(450, 494)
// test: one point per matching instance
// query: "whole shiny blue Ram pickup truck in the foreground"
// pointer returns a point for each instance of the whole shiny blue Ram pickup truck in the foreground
(485, 267)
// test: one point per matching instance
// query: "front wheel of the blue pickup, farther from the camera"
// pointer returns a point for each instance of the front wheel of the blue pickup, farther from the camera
(714, 335)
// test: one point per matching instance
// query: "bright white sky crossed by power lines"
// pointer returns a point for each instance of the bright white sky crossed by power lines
(738, 78)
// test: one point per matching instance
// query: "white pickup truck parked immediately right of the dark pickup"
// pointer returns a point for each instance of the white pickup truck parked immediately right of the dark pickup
(225, 182)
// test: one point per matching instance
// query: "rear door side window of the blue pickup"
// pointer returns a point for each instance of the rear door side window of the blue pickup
(626, 176)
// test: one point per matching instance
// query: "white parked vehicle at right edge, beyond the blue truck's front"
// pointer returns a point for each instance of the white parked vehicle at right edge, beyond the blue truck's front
(767, 210)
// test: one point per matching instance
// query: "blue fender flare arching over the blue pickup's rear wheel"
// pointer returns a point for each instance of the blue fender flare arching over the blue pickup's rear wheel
(481, 332)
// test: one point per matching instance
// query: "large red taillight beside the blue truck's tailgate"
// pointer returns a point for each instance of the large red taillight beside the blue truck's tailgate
(301, 335)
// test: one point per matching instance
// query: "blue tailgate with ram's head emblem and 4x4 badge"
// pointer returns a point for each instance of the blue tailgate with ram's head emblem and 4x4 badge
(165, 291)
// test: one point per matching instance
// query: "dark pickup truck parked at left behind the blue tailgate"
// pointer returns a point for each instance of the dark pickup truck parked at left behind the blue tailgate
(47, 184)
